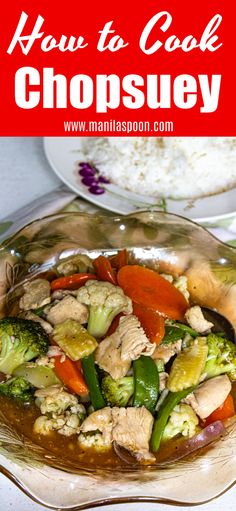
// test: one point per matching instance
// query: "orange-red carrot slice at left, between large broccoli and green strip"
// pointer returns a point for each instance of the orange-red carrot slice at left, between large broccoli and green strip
(70, 374)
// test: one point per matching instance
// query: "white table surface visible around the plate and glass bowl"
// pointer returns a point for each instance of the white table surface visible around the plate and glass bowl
(26, 175)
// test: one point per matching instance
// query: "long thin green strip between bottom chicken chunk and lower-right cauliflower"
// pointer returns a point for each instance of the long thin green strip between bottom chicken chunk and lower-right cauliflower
(172, 399)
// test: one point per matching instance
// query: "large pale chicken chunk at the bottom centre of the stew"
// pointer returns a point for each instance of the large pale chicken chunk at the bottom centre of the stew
(132, 429)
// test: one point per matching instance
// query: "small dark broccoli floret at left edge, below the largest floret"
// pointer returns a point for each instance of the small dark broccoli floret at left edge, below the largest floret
(17, 388)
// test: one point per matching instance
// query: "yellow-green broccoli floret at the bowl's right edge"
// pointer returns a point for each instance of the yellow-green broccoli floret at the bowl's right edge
(221, 358)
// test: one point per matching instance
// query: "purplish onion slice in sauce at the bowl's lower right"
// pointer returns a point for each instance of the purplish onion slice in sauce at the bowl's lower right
(208, 435)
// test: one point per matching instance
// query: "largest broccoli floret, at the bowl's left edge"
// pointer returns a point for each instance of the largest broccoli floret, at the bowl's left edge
(21, 340)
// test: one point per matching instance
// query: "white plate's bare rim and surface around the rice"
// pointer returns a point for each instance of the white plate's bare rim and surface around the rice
(64, 155)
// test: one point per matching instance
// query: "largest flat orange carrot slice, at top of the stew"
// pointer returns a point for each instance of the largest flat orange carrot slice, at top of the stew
(146, 287)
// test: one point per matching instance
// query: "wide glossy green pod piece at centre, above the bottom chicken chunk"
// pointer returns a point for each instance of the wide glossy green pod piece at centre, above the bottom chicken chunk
(146, 383)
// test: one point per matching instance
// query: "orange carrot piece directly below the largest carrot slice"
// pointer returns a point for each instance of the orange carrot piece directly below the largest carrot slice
(152, 322)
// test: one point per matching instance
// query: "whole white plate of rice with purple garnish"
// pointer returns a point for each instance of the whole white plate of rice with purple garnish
(190, 176)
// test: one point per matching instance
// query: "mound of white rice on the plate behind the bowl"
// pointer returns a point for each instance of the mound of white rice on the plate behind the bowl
(188, 167)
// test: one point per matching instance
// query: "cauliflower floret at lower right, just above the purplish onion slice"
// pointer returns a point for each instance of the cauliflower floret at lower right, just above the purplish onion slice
(183, 420)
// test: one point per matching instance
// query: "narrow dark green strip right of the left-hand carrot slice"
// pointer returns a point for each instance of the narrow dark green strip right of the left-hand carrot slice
(91, 378)
